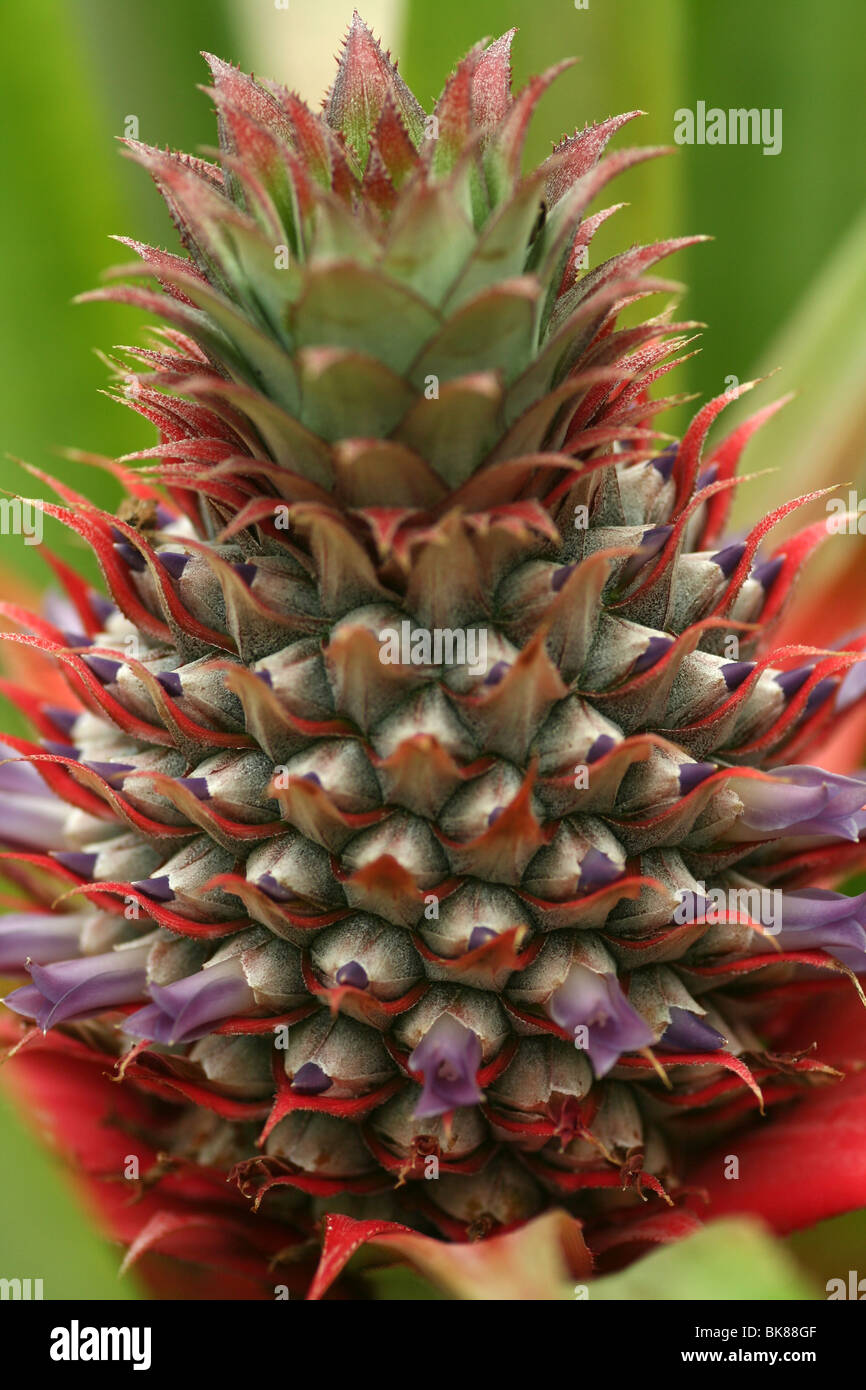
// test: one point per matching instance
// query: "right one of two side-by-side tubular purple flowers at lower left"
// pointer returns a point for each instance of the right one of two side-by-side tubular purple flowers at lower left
(191, 1008)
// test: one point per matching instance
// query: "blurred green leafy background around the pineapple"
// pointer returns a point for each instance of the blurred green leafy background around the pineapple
(783, 284)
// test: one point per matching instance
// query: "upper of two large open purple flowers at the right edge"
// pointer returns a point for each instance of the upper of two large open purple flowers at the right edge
(804, 801)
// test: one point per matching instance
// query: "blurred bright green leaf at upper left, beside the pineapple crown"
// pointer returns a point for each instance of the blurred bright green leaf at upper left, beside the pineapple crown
(74, 74)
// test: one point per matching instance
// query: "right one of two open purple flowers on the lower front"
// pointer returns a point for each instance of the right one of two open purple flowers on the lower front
(597, 1003)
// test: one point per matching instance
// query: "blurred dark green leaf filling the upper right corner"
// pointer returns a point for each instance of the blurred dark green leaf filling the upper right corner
(778, 220)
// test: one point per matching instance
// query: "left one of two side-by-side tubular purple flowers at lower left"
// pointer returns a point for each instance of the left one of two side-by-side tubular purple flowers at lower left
(80, 989)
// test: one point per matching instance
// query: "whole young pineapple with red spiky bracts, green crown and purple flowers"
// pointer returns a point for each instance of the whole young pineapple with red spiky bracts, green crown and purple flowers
(432, 760)
